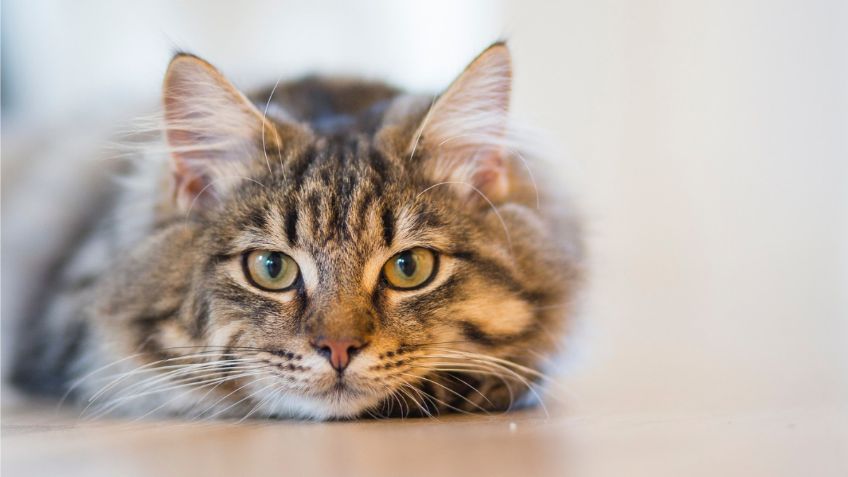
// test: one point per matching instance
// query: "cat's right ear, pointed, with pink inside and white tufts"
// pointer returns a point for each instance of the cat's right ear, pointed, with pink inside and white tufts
(464, 132)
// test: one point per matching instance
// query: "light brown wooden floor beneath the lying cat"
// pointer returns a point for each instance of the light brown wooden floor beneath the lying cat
(772, 442)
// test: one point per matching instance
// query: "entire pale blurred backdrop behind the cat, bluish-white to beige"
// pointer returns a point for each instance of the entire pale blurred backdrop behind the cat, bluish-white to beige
(707, 143)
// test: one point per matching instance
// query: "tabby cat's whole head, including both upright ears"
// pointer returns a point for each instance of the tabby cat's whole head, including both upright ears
(397, 262)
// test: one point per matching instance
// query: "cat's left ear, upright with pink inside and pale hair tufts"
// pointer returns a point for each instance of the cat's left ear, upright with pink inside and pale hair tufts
(214, 132)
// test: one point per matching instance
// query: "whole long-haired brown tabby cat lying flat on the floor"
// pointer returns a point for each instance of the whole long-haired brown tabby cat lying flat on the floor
(327, 249)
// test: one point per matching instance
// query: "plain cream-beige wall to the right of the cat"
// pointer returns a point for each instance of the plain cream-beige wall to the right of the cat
(712, 143)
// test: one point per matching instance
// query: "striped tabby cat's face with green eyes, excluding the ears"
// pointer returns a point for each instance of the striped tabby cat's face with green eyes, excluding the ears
(368, 262)
